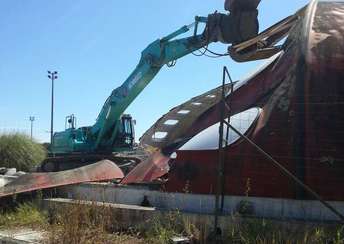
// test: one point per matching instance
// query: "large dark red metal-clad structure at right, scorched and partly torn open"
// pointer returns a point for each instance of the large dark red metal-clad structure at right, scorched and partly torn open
(301, 123)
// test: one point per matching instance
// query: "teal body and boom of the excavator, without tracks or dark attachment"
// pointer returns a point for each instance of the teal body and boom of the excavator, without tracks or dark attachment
(102, 136)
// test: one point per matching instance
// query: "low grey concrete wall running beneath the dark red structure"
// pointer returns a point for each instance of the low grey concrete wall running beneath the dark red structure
(203, 204)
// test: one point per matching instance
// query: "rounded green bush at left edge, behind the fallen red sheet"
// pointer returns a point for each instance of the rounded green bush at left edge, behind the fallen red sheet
(19, 151)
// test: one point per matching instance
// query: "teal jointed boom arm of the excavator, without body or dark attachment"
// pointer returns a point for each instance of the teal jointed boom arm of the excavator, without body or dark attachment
(153, 58)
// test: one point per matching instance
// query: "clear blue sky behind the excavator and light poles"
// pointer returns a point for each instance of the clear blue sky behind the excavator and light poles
(95, 45)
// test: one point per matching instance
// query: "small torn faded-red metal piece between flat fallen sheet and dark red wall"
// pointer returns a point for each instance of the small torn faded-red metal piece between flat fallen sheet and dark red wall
(151, 169)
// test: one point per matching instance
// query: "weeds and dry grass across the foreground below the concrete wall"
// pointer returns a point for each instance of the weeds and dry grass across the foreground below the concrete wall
(101, 224)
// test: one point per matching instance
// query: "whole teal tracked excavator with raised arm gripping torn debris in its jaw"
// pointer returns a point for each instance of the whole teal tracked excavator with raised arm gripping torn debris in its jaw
(112, 135)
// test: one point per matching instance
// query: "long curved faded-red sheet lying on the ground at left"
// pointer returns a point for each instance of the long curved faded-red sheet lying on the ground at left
(101, 171)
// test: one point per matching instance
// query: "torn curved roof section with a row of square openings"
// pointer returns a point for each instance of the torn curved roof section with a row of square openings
(194, 119)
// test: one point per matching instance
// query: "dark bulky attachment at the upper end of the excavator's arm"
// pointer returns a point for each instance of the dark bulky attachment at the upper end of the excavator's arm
(240, 24)
